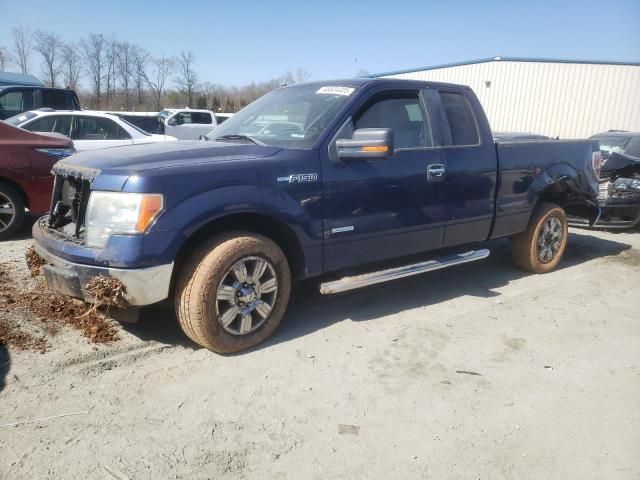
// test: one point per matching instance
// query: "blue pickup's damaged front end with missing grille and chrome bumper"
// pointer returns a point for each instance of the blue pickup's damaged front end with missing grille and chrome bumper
(73, 267)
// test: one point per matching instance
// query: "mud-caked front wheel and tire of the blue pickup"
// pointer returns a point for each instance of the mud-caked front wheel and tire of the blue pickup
(233, 291)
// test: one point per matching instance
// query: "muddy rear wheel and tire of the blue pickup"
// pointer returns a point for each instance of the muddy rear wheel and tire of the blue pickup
(540, 247)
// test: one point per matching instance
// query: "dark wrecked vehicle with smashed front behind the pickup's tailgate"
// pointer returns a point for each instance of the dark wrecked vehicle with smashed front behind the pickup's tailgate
(619, 194)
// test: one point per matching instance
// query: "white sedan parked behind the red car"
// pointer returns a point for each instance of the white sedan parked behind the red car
(88, 130)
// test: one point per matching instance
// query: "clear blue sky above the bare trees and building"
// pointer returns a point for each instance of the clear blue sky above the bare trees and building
(239, 42)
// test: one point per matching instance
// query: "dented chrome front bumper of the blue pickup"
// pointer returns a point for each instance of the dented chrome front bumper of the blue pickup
(144, 286)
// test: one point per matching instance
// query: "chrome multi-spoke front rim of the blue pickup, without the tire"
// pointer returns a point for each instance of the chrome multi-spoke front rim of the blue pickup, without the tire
(246, 295)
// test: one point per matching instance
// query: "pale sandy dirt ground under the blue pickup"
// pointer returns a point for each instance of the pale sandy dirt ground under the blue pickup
(476, 372)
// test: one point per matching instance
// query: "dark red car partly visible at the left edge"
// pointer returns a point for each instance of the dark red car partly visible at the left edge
(25, 173)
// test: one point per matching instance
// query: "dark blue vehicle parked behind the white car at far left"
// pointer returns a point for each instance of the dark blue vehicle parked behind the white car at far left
(21, 98)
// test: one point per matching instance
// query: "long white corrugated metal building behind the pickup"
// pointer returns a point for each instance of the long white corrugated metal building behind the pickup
(558, 98)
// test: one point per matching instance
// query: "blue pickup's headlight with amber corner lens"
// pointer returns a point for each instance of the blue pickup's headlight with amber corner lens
(119, 213)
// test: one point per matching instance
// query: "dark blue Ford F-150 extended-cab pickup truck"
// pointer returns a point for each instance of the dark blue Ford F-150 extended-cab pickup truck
(356, 182)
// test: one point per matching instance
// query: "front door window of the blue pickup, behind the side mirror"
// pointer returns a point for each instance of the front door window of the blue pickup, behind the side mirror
(401, 114)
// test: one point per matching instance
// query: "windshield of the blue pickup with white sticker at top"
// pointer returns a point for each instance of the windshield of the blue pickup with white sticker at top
(291, 117)
